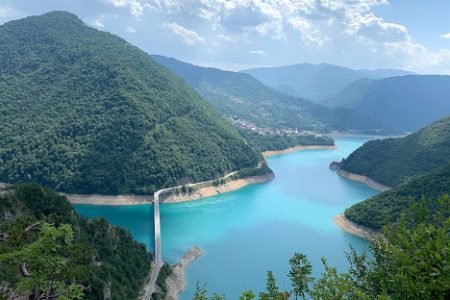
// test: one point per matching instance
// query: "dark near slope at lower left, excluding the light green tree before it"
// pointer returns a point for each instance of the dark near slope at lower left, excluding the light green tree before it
(103, 257)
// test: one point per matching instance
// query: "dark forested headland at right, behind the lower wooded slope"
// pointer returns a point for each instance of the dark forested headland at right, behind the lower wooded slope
(390, 161)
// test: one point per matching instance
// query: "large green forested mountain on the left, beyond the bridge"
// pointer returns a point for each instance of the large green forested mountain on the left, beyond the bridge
(84, 111)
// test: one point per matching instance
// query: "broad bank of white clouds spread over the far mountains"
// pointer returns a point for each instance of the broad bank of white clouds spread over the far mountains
(321, 28)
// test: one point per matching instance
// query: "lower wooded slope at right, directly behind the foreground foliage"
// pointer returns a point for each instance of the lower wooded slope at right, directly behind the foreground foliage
(386, 208)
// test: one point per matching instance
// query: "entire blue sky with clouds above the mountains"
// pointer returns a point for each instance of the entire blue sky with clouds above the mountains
(237, 34)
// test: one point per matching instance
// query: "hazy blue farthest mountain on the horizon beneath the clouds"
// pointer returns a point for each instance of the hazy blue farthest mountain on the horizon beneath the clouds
(315, 82)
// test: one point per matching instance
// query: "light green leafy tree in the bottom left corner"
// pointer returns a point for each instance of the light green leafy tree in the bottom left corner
(44, 265)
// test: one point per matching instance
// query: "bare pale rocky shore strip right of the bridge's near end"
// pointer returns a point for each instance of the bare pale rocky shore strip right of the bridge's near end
(176, 282)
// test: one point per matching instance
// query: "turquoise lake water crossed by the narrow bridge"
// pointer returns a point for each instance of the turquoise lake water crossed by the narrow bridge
(258, 228)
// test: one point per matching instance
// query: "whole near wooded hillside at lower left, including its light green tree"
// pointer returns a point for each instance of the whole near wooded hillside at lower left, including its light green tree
(61, 253)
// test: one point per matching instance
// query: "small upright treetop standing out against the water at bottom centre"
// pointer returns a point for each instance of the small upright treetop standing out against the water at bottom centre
(300, 274)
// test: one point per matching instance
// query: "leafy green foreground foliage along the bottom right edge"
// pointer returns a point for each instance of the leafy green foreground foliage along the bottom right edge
(411, 261)
